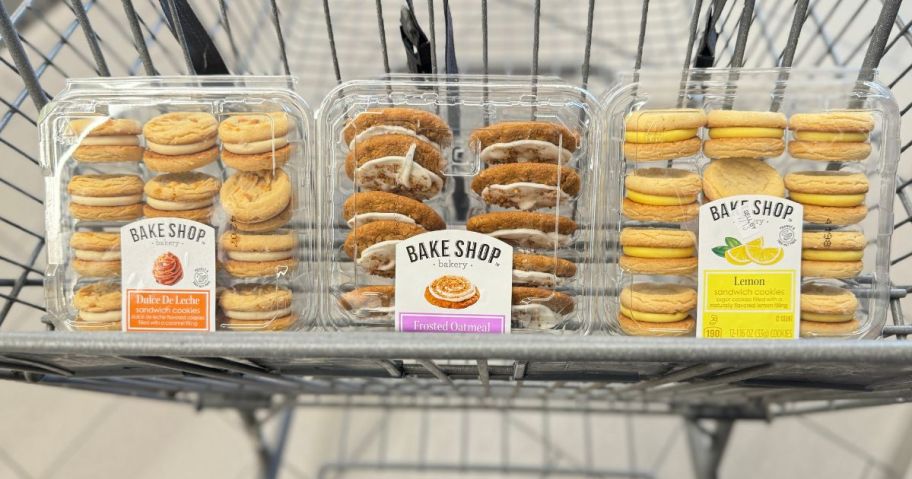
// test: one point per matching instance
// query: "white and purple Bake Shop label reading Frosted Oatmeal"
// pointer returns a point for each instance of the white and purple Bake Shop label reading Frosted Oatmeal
(453, 281)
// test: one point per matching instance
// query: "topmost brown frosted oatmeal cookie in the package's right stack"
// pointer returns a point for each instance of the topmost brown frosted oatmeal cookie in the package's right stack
(524, 142)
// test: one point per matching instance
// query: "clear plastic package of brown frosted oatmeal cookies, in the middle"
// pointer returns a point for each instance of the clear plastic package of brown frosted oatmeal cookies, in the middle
(466, 206)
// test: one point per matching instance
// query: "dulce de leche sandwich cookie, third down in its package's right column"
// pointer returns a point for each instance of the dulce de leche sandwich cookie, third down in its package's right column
(252, 255)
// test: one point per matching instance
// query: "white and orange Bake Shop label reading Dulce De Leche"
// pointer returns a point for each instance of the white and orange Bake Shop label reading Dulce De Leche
(168, 275)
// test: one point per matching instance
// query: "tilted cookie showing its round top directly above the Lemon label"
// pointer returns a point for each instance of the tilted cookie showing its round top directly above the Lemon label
(735, 176)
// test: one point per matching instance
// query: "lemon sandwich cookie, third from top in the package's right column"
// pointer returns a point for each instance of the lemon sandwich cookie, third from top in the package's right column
(832, 254)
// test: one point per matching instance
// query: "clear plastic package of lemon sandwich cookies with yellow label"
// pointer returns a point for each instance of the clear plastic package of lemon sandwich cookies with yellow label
(751, 207)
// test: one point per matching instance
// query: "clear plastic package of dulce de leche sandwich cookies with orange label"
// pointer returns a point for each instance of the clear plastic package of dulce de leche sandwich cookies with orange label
(180, 205)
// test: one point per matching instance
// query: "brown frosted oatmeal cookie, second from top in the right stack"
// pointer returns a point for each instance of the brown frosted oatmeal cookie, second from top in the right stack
(527, 186)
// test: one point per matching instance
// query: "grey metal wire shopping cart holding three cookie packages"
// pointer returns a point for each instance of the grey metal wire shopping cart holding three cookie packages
(710, 383)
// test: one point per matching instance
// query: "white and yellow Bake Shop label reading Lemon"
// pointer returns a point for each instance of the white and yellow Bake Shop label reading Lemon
(749, 268)
